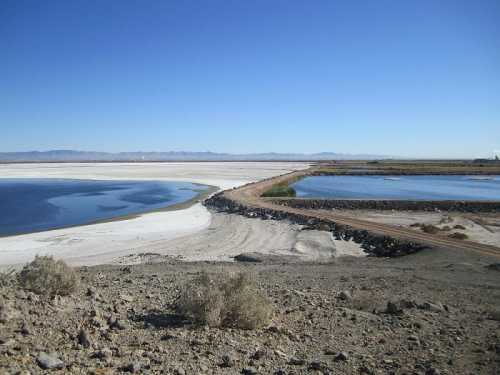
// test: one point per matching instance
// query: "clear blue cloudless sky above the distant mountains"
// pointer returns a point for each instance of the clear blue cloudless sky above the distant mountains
(411, 78)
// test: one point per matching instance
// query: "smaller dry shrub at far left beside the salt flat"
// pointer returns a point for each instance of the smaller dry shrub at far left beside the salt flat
(47, 276)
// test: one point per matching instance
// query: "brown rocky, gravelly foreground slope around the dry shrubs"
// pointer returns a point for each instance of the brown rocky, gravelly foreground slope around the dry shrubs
(425, 313)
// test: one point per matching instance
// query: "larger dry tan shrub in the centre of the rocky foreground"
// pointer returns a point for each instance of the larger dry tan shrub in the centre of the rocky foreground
(220, 300)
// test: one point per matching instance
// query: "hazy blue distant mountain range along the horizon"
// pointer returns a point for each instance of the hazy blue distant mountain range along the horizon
(80, 156)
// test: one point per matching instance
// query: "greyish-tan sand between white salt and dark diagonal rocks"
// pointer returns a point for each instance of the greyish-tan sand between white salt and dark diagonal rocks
(229, 235)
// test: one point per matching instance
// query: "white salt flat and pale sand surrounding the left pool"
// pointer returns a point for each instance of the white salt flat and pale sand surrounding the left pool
(192, 233)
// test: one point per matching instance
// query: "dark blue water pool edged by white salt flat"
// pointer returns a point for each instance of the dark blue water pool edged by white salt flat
(30, 205)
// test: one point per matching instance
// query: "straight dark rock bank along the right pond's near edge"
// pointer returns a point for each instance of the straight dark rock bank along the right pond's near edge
(429, 206)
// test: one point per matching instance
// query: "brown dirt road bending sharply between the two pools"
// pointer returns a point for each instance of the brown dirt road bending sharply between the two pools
(249, 195)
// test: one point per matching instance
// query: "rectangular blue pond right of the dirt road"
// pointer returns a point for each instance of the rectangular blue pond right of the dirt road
(463, 188)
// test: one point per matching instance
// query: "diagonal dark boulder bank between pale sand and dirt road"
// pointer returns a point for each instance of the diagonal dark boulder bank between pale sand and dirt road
(372, 244)
